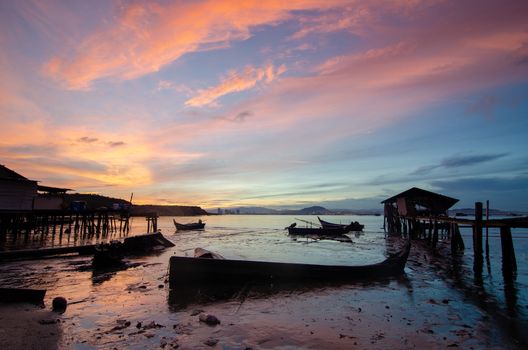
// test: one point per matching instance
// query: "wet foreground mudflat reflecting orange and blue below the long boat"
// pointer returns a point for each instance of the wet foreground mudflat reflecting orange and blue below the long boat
(129, 309)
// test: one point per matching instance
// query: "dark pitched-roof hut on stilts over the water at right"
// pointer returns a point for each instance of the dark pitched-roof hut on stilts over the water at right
(402, 210)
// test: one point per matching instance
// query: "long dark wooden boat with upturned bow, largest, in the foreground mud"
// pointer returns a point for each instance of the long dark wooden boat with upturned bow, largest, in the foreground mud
(187, 271)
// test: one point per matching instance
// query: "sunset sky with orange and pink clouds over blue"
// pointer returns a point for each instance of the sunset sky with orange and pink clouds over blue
(280, 104)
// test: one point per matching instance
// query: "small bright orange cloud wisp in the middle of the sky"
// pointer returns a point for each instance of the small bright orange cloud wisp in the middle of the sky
(235, 82)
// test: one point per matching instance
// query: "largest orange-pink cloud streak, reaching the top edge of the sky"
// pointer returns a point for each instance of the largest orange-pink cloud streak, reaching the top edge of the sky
(148, 36)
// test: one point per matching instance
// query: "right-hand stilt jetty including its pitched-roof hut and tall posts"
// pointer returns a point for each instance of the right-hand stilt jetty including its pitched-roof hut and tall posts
(423, 215)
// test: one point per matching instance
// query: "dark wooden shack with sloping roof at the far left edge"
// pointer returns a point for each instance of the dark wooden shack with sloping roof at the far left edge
(16, 191)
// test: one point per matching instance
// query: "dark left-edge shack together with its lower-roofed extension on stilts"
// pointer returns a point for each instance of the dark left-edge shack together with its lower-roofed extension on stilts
(19, 193)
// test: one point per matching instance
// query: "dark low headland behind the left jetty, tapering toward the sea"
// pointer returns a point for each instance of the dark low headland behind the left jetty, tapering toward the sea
(94, 201)
